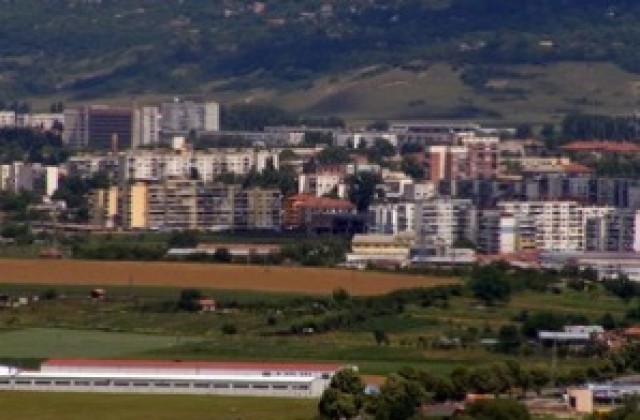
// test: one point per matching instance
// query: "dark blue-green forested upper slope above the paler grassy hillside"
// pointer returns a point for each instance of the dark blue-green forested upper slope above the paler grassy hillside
(91, 47)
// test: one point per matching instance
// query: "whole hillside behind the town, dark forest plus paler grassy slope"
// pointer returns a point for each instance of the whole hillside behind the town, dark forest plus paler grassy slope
(495, 51)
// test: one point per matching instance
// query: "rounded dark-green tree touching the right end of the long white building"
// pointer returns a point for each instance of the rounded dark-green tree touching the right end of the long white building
(344, 397)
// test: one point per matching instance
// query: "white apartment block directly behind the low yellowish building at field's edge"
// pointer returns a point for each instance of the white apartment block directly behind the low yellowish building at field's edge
(393, 218)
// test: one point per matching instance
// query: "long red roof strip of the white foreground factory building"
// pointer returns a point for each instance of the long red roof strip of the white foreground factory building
(154, 364)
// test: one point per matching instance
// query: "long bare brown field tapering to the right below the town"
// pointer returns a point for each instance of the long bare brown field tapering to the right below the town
(213, 276)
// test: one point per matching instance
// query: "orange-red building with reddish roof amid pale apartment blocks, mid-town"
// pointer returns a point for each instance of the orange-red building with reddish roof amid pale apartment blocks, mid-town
(299, 209)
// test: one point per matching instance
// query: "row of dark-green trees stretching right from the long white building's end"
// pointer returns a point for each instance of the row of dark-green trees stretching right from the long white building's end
(404, 392)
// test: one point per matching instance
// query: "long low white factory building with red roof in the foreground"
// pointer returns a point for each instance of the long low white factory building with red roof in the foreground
(173, 377)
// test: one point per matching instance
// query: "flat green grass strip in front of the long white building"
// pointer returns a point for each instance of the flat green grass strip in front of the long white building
(56, 406)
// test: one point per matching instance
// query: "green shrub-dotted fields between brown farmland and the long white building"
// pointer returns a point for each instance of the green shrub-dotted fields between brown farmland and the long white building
(147, 323)
